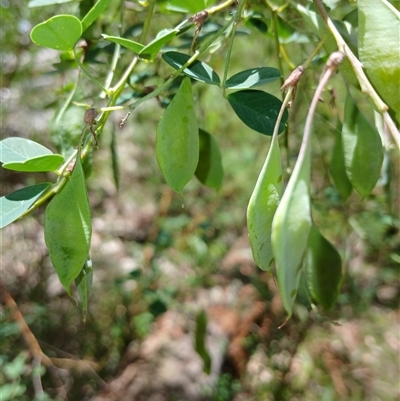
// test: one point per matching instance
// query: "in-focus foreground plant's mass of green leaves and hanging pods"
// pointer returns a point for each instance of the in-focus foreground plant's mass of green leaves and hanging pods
(279, 220)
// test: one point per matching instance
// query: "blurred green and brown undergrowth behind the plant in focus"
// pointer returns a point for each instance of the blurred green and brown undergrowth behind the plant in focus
(157, 255)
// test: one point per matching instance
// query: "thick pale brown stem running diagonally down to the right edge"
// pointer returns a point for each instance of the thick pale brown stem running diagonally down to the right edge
(364, 82)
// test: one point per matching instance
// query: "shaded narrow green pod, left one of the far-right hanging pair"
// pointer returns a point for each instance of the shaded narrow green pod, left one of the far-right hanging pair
(337, 168)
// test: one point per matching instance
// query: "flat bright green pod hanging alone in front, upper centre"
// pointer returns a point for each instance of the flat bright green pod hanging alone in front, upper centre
(177, 143)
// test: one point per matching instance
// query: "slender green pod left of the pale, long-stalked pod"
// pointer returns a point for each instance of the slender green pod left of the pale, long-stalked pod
(262, 207)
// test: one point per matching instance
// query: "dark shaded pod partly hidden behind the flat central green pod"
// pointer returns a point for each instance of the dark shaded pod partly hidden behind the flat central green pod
(209, 169)
